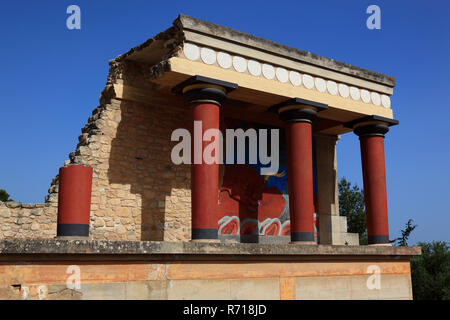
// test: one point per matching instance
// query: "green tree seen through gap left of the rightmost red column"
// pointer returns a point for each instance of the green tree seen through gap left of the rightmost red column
(351, 205)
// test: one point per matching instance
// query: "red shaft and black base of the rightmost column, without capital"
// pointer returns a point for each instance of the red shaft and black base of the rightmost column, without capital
(374, 176)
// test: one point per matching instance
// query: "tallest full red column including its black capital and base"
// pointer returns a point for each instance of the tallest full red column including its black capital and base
(205, 96)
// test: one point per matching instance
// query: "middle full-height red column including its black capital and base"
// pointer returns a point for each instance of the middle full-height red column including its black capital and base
(298, 115)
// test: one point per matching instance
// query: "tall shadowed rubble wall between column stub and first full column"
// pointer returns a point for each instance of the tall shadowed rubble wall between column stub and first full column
(137, 193)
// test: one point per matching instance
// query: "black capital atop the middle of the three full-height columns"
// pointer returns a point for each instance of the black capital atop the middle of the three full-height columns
(298, 110)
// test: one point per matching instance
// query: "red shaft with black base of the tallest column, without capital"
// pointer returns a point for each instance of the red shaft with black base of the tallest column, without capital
(204, 177)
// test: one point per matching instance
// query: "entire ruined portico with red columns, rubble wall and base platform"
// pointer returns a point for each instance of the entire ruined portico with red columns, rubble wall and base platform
(140, 226)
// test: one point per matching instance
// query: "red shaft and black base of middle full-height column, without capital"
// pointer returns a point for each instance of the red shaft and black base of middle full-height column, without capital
(300, 178)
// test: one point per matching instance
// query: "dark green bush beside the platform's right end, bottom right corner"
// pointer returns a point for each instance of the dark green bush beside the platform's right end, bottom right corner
(430, 272)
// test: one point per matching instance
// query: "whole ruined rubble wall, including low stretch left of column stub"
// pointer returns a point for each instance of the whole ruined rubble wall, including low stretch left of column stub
(137, 192)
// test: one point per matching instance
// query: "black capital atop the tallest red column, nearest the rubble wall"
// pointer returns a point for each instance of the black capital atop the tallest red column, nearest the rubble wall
(198, 89)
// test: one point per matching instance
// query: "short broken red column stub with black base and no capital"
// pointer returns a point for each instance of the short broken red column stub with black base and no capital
(74, 201)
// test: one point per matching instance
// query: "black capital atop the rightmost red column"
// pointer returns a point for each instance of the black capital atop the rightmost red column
(371, 126)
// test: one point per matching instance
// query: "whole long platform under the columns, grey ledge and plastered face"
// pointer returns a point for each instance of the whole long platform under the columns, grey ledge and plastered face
(48, 269)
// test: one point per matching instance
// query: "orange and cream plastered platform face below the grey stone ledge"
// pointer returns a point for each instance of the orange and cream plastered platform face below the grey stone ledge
(174, 280)
